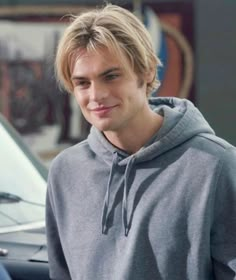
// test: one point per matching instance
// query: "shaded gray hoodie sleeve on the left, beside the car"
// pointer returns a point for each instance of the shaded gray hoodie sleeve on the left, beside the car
(58, 268)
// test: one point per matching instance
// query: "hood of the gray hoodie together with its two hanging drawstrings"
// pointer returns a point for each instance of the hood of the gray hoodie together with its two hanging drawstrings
(181, 121)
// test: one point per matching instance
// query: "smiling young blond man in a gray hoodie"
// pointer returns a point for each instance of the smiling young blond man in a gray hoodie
(151, 194)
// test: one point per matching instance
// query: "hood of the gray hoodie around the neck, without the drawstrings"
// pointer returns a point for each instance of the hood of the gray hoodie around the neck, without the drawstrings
(182, 121)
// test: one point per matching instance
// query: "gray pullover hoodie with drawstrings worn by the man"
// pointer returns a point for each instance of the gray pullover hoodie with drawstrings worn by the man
(166, 212)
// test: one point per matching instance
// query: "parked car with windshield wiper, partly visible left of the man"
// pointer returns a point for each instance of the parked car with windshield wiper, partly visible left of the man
(23, 248)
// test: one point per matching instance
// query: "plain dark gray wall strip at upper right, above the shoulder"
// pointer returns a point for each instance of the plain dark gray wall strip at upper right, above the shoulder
(215, 57)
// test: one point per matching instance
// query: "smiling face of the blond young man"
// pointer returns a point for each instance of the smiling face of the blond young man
(110, 98)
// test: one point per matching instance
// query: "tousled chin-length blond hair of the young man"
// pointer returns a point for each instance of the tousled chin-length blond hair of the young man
(112, 27)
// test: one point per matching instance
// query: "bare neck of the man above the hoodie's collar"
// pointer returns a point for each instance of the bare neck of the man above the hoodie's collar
(131, 139)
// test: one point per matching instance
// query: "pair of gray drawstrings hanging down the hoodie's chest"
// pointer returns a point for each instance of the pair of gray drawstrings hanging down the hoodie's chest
(105, 212)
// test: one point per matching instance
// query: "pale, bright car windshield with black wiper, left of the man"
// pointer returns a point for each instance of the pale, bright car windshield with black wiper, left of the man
(19, 177)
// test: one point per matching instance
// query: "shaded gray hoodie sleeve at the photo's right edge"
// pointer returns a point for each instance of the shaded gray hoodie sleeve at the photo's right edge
(223, 237)
